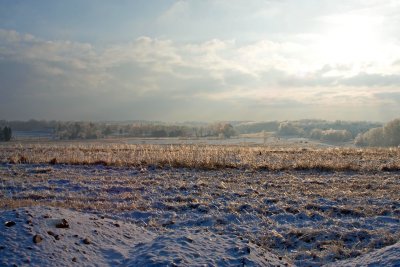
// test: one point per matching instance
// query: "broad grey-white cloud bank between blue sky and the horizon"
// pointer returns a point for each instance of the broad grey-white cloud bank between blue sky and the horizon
(151, 78)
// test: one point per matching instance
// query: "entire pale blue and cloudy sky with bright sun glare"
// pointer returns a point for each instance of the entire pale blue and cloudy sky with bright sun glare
(200, 60)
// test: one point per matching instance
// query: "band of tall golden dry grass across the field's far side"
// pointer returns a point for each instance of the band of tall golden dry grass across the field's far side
(207, 156)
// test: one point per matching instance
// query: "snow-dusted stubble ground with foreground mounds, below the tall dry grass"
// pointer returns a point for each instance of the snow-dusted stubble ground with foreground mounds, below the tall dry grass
(186, 217)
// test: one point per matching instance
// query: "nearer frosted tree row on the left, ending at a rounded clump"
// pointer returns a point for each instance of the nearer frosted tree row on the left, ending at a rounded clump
(95, 130)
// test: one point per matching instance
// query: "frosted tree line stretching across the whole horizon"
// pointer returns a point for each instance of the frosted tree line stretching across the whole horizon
(363, 133)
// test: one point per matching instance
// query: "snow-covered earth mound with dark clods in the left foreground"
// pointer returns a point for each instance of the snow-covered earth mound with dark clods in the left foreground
(95, 240)
